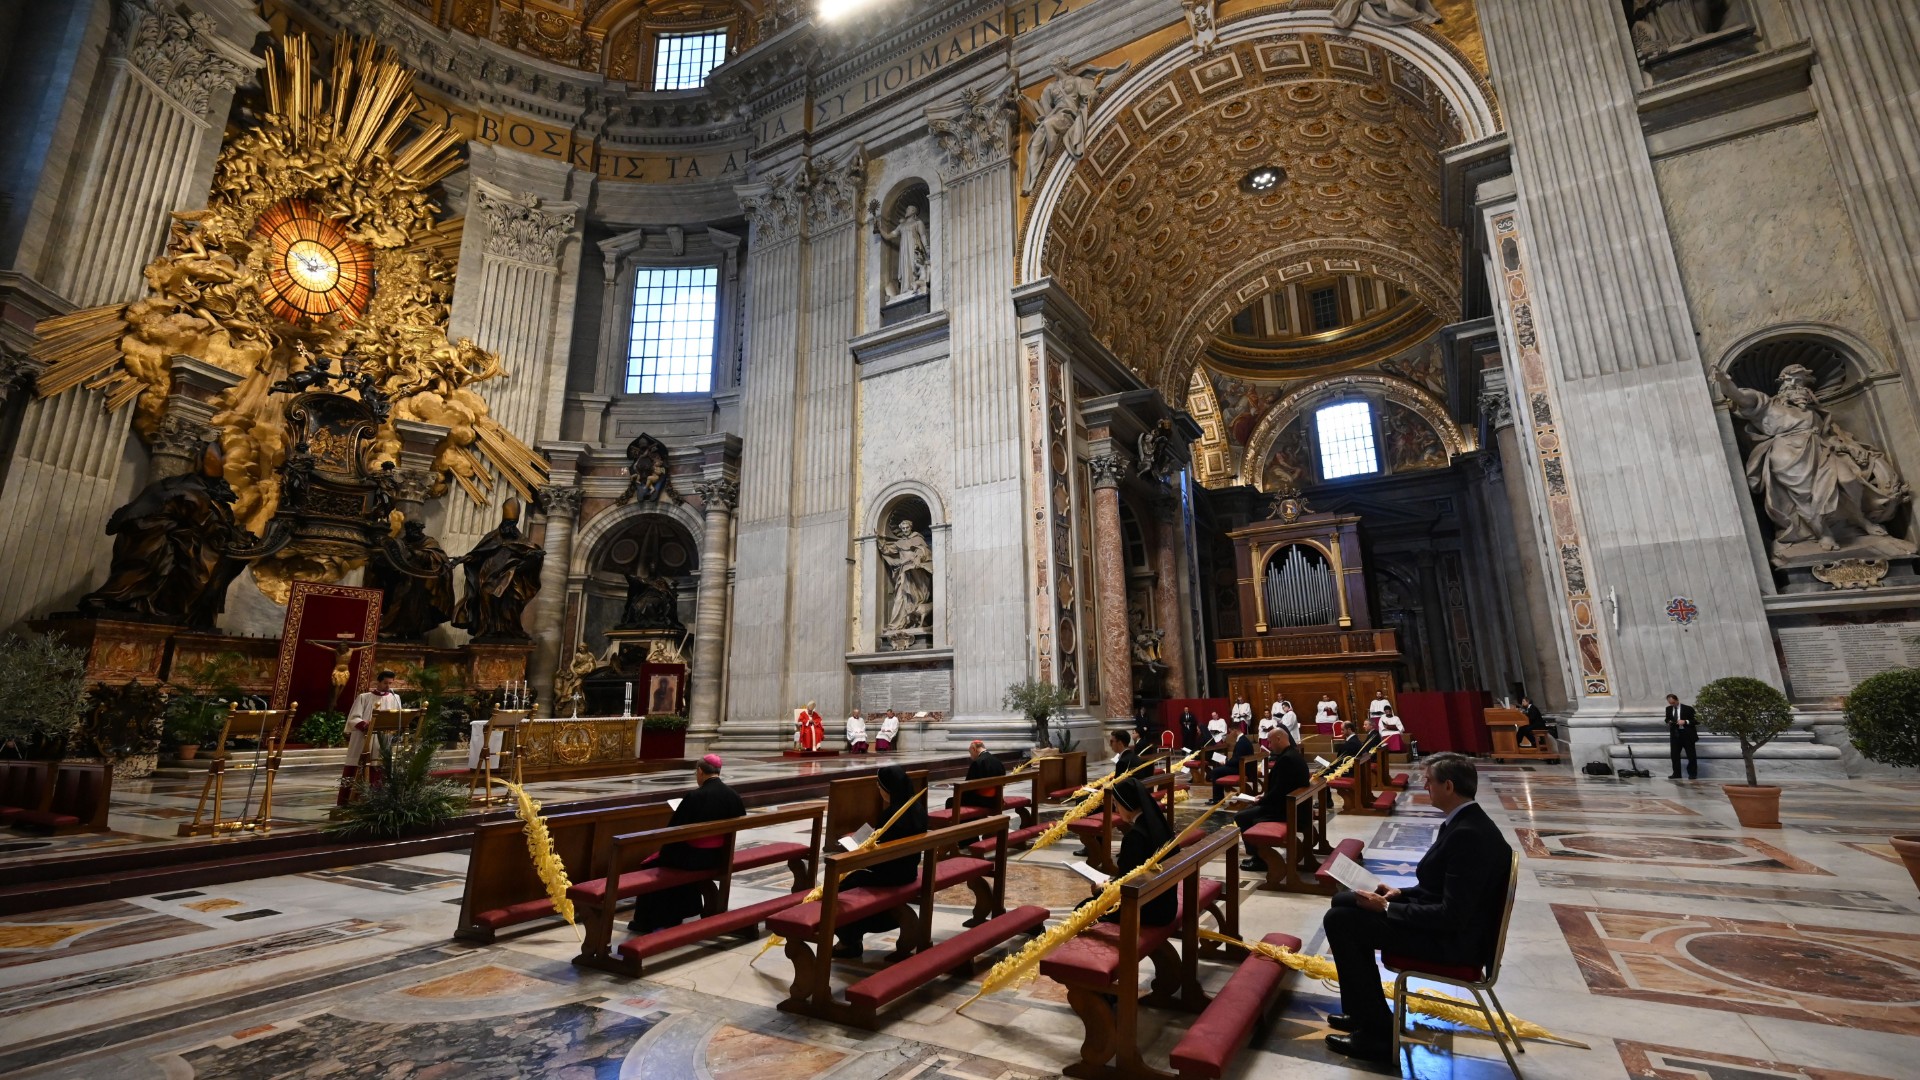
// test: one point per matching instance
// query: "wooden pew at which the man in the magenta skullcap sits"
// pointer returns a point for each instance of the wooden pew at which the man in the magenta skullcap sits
(627, 875)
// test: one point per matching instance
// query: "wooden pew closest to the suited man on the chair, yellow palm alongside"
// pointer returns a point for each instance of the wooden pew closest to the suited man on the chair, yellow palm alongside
(1105, 964)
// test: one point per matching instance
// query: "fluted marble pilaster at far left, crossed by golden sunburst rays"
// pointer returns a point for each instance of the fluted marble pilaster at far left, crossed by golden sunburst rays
(151, 143)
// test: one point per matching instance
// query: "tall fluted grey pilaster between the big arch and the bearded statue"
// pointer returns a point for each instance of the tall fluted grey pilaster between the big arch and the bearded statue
(1654, 506)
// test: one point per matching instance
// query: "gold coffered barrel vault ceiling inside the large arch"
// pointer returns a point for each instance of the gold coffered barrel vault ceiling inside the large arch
(1161, 245)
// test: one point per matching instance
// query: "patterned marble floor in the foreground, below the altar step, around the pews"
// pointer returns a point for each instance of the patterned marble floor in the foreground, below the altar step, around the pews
(1650, 927)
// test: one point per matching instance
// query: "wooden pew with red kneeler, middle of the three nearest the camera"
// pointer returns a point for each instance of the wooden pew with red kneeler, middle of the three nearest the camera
(809, 927)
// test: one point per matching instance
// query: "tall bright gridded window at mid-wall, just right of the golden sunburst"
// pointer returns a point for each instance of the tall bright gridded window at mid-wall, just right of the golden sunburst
(673, 345)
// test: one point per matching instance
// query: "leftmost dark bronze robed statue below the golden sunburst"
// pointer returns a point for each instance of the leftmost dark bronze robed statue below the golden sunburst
(174, 551)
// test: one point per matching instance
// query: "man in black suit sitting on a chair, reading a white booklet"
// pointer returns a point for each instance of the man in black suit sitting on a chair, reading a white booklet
(1452, 916)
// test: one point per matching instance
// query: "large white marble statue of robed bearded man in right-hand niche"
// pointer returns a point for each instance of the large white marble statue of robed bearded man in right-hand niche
(1823, 489)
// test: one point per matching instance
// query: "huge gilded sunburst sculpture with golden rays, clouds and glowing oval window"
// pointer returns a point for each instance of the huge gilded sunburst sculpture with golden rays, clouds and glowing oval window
(320, 241)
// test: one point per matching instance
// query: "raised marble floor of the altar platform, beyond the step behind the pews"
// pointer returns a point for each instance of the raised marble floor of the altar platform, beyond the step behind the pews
(153, 810)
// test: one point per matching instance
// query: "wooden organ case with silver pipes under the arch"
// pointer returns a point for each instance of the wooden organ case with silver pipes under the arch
(1303, 581)
